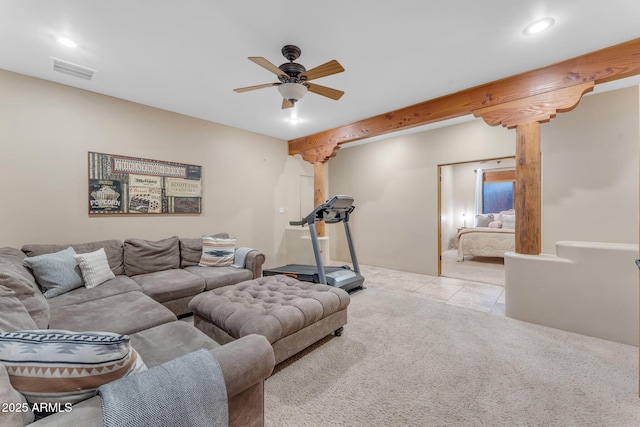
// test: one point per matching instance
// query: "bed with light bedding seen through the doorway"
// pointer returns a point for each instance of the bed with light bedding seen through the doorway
(485, 241)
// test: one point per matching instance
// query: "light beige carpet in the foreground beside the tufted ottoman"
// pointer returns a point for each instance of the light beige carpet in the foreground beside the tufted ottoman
(407, 361)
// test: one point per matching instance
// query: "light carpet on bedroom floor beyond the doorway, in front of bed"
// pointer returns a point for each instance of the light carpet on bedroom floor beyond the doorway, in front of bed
(475, 269)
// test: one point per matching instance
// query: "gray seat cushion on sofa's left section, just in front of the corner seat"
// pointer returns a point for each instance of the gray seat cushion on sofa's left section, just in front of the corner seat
(122, 313)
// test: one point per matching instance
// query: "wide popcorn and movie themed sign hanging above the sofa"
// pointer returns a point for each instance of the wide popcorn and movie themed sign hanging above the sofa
(131, 185)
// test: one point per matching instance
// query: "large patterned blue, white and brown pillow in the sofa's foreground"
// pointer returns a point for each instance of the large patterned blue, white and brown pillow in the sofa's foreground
(59, 366)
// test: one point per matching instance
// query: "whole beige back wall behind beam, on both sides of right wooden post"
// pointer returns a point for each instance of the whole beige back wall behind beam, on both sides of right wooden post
(590, 181)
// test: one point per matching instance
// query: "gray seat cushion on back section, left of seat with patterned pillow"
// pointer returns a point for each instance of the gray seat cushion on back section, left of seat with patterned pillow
(170, 285)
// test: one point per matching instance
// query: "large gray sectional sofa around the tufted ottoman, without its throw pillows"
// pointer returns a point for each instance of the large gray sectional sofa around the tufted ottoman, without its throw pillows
(153, 284)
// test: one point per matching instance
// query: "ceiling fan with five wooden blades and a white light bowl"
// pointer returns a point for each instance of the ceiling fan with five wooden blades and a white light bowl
(294, 78)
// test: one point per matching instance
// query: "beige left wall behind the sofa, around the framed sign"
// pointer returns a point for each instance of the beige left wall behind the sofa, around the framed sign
(46, 130)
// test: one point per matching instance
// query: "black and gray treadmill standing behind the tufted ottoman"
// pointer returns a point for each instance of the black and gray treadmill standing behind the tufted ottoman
(337, 209)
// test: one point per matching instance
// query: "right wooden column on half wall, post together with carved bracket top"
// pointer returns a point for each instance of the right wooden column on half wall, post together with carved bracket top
(526, 115)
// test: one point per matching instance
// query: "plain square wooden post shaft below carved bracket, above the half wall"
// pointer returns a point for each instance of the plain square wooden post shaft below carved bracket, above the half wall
(528, 194)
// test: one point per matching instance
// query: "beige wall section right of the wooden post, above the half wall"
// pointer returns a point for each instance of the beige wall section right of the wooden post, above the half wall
(590, 171)
